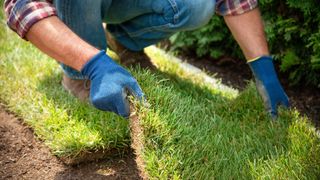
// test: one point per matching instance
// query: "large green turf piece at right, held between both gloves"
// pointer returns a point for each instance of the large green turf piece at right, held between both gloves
(205, 132)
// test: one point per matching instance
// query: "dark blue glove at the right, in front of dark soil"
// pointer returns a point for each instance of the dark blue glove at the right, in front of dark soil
(268, 84)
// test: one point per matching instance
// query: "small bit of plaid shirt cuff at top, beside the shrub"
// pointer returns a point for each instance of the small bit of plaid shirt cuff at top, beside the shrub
(235, 7)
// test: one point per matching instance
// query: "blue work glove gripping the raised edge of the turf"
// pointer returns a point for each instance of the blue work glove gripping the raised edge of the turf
(110, 84)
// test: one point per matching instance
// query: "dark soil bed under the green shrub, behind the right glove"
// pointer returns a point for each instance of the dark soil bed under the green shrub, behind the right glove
(236, 73)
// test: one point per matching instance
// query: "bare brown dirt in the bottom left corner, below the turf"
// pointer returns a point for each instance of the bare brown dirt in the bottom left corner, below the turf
(22, 156)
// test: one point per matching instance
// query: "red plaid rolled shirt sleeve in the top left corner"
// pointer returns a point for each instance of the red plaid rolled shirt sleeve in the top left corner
(22, 14)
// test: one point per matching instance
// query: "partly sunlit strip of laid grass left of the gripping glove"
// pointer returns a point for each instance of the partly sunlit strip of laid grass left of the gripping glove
(30, 86)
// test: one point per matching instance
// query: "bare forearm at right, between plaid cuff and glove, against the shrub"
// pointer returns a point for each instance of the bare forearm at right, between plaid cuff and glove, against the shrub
(248, 30)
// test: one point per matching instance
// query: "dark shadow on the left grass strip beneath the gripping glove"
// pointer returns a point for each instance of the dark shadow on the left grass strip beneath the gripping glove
(91, 118)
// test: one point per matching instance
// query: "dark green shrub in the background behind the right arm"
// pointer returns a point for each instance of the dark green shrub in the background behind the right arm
(293, 32)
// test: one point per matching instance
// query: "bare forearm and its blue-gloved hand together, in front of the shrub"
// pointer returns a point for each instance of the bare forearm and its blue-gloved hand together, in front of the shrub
(248, 30)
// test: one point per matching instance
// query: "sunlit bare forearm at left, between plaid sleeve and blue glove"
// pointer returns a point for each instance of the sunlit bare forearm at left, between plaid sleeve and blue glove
(55, 39)
